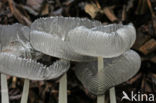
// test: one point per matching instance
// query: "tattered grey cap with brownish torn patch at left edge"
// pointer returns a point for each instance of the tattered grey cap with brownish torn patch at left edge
(13, 39)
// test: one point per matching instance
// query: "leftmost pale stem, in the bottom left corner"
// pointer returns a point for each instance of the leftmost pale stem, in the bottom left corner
(4, 89)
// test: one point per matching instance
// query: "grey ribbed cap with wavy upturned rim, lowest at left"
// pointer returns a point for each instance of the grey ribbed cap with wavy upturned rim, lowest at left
(30, 69)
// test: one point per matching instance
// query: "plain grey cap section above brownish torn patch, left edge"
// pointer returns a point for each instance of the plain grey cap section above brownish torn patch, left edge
(14, 32)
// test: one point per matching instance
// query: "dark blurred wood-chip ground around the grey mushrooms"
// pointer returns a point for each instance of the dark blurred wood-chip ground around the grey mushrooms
(139, 12)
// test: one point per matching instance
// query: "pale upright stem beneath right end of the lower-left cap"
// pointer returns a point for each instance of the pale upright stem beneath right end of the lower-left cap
(63, 89)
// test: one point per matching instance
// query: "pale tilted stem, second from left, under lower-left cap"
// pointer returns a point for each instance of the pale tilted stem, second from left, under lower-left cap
(25, 93)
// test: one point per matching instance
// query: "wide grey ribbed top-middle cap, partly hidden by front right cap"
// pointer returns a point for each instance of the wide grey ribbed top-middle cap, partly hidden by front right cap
(48, 35)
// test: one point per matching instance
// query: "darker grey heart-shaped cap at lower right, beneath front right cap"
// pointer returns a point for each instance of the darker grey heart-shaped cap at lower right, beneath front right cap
(116, 70)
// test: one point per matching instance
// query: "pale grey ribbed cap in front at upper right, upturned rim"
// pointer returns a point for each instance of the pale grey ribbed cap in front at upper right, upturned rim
(105, 41)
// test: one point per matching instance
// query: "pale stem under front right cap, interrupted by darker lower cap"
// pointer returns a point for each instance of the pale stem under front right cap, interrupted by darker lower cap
(100, 99)
